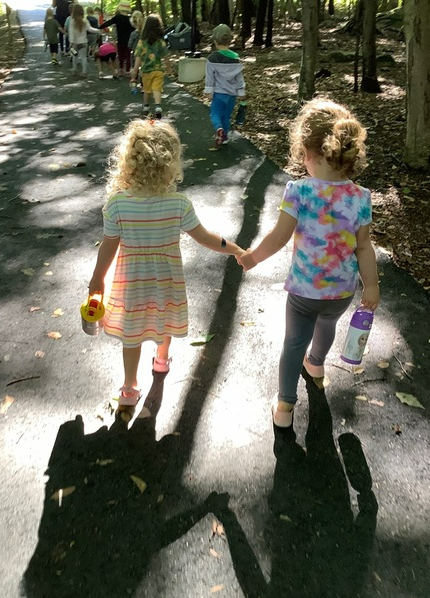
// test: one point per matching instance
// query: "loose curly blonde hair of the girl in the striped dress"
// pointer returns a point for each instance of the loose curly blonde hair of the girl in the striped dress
(148, 159)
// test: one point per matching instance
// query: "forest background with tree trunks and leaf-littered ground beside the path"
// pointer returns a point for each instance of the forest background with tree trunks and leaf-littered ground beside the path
(371, 55)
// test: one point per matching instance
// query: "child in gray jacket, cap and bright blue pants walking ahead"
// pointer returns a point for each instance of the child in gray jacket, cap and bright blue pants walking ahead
(224, 82)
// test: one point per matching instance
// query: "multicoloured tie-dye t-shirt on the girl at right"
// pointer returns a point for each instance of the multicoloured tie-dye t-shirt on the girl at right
(328, 216)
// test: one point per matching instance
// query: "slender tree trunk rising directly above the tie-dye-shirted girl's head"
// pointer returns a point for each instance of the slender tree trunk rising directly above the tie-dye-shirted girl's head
(309, 49)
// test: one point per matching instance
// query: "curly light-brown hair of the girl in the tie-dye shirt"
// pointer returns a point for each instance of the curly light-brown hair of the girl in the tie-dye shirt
(331, 131)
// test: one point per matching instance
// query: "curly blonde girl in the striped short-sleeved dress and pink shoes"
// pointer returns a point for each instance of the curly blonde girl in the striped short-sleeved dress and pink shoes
(144, 216)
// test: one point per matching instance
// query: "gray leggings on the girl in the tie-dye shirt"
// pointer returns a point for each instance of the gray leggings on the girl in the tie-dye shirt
(306, 320)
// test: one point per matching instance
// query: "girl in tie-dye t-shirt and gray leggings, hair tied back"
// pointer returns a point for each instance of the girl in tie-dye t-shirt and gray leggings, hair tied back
(329, 216)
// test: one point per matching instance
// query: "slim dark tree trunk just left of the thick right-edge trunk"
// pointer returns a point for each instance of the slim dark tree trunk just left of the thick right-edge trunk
(369, 82)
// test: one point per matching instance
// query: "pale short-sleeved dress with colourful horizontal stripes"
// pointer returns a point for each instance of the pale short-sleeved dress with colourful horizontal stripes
(148, 298)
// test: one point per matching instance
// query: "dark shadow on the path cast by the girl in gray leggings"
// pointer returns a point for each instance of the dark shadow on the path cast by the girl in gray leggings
(319, 548)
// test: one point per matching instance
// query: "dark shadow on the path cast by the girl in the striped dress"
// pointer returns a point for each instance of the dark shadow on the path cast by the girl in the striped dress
(97, 537)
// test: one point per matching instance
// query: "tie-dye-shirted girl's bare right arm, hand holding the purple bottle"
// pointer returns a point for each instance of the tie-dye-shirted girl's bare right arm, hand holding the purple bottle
(367, 268)
